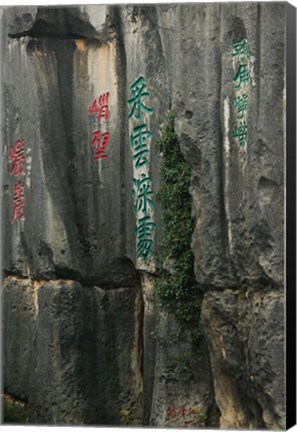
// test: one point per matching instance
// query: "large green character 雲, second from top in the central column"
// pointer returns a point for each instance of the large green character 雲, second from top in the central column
(140, 144)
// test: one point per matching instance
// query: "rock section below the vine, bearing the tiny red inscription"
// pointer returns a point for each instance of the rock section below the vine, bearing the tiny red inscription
(182, 397)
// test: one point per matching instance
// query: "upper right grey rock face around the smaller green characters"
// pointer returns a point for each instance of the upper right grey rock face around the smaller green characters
(239, 235)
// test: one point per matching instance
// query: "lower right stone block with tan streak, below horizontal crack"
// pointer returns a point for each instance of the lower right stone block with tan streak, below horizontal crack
(246, 338)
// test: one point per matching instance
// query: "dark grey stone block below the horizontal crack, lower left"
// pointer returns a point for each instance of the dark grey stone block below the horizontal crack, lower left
(73, 352)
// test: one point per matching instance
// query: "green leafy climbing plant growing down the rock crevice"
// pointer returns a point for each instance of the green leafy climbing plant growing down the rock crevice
(176, 287)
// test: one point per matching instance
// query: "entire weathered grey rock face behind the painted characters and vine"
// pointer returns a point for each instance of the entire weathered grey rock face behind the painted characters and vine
(79, 316)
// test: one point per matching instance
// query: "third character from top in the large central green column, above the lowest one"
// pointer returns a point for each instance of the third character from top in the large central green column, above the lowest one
(143, 194)
